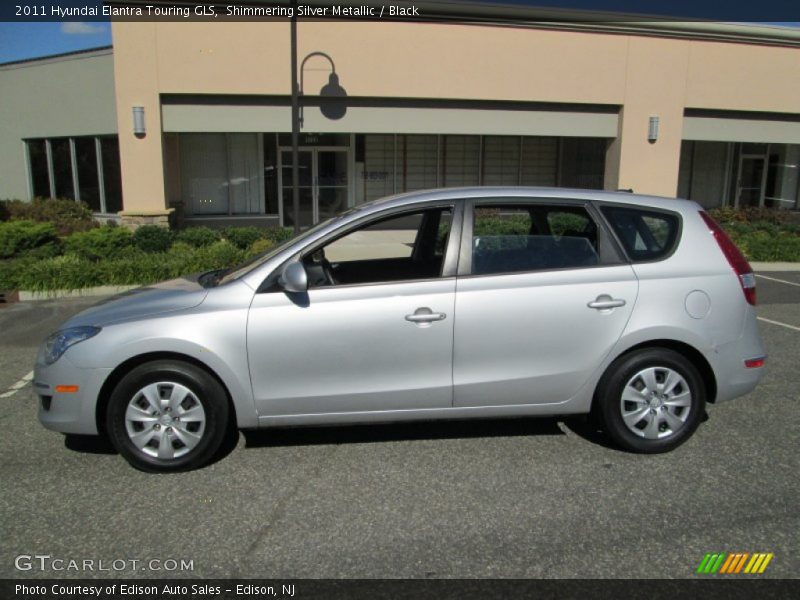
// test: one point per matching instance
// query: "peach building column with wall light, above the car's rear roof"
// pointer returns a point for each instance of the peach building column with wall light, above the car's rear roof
(655, 88)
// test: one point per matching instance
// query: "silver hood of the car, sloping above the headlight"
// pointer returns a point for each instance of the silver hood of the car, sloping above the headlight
(168, 296)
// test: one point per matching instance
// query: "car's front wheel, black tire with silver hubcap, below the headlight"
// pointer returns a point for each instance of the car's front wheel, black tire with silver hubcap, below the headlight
(204, 390)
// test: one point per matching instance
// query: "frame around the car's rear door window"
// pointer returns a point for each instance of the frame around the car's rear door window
(609, 252)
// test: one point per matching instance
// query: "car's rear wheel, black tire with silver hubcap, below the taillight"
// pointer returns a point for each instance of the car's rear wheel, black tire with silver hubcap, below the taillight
(610, 406)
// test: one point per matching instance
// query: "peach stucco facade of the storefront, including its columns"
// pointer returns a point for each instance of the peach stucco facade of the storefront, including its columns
(644, 76)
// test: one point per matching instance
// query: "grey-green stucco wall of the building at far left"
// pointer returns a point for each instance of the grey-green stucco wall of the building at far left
(68, 96)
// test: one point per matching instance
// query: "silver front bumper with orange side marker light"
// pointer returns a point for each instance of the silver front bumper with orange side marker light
(68, 412)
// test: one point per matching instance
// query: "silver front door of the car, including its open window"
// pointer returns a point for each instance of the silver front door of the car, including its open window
(374, 331)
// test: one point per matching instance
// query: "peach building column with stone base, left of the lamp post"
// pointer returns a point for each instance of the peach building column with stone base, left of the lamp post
(136, 82)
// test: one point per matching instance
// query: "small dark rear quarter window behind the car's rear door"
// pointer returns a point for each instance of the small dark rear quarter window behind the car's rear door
(645, 234)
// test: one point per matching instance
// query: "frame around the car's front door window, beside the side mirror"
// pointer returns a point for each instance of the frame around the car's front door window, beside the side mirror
(449, 260)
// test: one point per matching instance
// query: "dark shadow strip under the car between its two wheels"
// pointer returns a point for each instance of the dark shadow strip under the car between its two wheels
(393, 432)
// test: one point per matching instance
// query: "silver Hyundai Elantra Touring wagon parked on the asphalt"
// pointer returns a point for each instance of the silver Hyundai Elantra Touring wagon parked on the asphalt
(456, 303)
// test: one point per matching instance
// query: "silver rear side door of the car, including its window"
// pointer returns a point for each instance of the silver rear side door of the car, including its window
(542, 297)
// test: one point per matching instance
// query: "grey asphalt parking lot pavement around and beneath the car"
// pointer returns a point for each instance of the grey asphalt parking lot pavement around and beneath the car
(517, 498)
